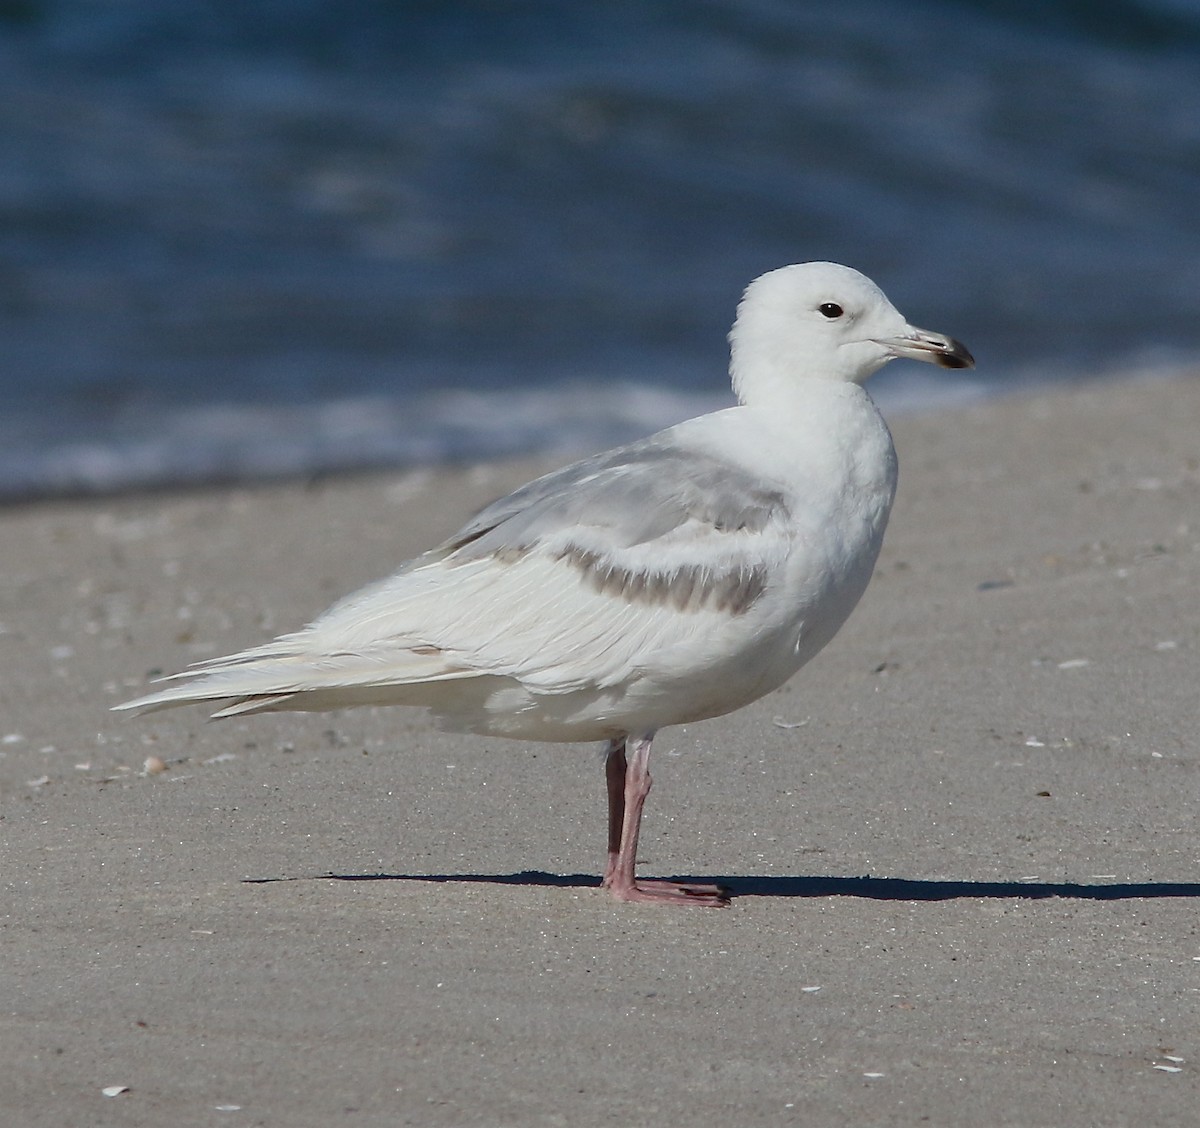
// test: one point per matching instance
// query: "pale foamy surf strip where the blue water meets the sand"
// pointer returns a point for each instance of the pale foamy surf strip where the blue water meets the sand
(209, 448)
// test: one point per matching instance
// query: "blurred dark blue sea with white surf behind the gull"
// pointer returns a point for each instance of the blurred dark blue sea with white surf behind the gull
(298, 236)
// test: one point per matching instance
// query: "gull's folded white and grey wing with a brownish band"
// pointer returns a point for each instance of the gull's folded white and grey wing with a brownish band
(572, 581)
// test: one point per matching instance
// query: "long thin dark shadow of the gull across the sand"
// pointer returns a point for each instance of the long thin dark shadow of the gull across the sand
(872, 889)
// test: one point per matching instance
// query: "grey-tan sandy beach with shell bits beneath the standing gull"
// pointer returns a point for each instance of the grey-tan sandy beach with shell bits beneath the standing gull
(963, 843)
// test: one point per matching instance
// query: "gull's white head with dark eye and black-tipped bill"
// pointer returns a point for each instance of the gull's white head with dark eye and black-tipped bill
(823, 321)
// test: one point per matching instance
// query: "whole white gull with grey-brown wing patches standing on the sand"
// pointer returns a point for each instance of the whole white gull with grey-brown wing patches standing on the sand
(671, 580)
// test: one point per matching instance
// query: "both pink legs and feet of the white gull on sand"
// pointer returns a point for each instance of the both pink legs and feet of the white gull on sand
(629, 784)
